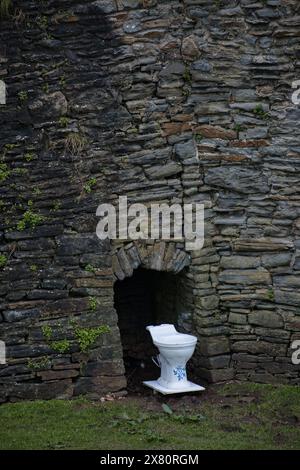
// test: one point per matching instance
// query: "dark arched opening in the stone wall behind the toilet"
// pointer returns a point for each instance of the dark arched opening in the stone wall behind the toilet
(148, 297)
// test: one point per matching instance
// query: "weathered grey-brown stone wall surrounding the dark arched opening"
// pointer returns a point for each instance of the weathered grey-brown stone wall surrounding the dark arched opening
(161, 101)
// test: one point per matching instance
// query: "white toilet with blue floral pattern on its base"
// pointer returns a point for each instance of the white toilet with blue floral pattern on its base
(175, 349)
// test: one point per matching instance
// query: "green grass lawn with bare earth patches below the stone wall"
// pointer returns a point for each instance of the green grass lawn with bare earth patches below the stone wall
(234, 416)
